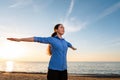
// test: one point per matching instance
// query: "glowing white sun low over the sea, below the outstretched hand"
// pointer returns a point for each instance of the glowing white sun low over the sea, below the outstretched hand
(12, 50)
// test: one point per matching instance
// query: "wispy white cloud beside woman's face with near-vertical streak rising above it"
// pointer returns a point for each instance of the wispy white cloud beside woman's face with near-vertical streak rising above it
(71, 23)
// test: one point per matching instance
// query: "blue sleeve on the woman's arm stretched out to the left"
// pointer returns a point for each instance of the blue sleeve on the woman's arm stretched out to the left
(46, 40)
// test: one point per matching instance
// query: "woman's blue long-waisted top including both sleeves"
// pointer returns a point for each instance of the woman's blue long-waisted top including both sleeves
(59, 47)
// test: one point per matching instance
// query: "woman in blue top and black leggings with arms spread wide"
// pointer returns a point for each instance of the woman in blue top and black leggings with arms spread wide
(57, 69)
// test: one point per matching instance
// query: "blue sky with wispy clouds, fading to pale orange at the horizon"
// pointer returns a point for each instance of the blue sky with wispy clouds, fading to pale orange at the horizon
(92, 26)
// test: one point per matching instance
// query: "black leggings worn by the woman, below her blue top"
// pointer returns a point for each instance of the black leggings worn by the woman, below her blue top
(57, 75)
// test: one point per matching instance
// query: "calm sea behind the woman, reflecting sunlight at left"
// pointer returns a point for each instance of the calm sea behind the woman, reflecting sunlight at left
(73, 67)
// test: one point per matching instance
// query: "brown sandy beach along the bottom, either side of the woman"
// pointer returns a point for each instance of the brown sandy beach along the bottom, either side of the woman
(38, 76)
